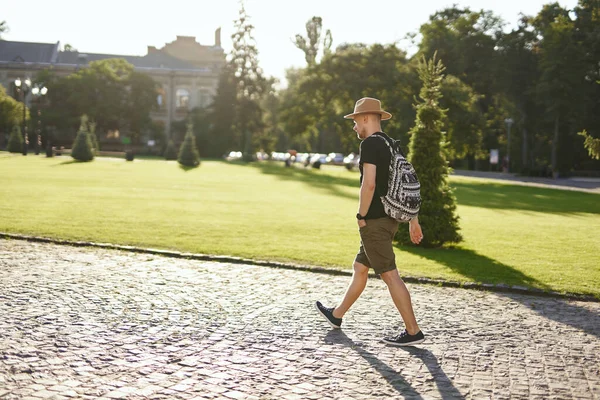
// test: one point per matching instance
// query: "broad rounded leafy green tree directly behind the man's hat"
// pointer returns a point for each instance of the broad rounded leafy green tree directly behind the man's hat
(316, 96)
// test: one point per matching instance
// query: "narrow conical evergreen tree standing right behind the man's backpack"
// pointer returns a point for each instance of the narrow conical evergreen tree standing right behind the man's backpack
(428, 155)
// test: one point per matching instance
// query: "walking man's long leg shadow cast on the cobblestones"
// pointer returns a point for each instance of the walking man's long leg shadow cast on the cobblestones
(393, 377)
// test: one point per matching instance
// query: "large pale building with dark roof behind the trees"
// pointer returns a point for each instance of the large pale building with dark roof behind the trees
(187, 72)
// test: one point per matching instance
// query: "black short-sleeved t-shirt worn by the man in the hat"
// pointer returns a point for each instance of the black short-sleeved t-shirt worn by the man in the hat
(374, 151)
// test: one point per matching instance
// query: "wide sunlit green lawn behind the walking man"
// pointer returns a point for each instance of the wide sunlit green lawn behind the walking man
(517, 235)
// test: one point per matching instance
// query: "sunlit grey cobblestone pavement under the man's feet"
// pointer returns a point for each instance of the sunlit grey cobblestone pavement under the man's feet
(90, 323)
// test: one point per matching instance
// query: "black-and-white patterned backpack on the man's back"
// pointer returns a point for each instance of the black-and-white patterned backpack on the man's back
(402, 201)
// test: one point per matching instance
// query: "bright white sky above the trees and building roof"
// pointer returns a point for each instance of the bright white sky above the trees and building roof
(127, 27)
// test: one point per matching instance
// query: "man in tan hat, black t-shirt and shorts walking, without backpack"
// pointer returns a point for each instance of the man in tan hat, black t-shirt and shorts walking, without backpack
(376, 229)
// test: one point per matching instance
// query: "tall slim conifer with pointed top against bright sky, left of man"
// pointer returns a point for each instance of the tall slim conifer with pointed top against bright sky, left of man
(250, 83)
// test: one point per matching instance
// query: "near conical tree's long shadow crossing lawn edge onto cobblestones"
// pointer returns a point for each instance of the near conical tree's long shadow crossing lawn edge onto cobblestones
(482, 269)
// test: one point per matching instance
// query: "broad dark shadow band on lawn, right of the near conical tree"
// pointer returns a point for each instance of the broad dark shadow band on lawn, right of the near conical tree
(515, 197)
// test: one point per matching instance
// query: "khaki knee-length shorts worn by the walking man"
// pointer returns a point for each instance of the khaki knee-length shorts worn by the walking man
(376, 249)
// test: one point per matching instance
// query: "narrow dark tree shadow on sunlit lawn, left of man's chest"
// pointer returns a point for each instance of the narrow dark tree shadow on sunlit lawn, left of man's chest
(312, 178)
